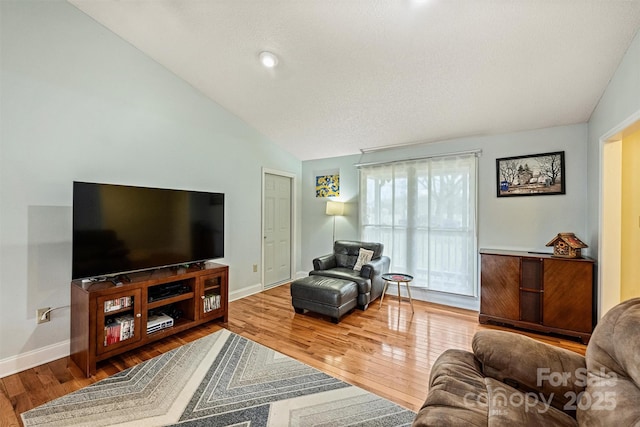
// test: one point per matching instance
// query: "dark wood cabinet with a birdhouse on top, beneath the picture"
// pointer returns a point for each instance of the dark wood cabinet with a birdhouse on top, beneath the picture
(538, 292)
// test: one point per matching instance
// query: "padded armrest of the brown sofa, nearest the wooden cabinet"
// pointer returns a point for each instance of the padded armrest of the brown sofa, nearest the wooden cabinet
(531, 366)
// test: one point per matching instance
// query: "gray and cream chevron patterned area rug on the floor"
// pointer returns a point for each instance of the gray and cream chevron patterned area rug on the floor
(220, 380)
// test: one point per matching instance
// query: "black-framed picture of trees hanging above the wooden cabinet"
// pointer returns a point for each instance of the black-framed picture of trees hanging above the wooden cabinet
(531, 175)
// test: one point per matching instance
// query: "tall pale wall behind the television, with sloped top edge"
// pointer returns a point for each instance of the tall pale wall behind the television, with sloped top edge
(78, 103)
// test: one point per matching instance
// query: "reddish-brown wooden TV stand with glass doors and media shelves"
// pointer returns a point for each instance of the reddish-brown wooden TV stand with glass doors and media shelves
(109, 319)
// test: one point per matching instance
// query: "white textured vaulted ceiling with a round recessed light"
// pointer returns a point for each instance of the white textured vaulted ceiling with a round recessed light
(359, 74)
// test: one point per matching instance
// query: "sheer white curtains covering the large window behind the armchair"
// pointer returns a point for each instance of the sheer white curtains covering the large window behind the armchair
(424, 212)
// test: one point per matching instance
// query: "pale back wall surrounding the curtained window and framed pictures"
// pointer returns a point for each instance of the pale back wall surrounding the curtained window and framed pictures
(521, 223)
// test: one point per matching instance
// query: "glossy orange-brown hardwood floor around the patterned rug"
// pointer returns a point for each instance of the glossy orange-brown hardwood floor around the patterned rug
(387, 350)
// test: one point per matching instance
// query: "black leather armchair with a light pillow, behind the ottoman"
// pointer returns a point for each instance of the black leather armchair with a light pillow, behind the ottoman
(340, 265)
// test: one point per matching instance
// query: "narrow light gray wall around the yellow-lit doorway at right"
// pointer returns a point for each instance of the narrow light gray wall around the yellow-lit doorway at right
(620, 101)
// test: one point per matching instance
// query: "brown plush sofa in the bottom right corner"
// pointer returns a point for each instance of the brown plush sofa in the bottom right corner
(513, 380)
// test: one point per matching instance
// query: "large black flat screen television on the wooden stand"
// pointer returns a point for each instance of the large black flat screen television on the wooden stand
(119, 229)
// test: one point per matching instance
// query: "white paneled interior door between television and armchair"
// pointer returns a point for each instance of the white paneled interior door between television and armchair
(277, 230)
